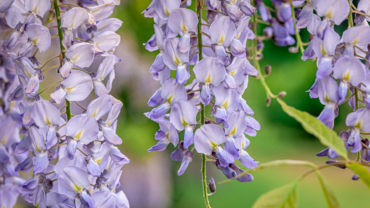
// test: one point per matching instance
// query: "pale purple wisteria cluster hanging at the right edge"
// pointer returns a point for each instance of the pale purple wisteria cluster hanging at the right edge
(343, 69)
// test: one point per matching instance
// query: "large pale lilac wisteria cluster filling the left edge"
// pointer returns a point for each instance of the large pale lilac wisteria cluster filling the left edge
(73, 157)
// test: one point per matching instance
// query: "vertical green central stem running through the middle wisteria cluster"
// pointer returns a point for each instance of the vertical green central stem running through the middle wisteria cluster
(199, 5)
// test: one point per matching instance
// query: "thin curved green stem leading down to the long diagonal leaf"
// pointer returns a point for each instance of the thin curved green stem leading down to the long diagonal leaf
(255, 60)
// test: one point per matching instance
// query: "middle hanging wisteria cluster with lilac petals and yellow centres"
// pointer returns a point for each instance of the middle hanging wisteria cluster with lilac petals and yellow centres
(216, 81)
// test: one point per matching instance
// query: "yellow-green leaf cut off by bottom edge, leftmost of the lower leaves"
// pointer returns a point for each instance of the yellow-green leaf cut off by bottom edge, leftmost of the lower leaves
(282, 197)
